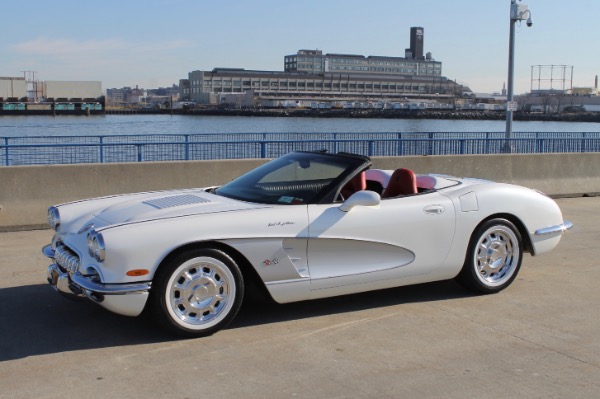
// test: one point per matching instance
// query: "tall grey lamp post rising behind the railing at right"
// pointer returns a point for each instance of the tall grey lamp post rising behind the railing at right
(518, 12)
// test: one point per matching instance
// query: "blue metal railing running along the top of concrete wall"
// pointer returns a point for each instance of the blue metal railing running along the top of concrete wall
(43, 150)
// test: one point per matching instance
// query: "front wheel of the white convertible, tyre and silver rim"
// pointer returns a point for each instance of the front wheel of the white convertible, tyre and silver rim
(197, 293)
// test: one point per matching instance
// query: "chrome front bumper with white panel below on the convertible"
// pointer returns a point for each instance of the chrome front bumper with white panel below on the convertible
(125, 299)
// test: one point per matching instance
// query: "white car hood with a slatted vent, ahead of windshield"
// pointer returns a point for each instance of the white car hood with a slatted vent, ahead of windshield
(152, 206)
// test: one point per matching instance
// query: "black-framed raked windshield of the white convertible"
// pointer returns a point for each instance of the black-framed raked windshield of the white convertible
(293, 179)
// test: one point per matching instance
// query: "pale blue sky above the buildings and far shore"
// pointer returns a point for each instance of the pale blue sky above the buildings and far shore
(154, 43)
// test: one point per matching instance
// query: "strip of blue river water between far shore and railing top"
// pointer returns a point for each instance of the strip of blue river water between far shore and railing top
(18, 126)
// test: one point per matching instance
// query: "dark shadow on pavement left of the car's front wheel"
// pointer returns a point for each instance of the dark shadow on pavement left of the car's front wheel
(35, 320)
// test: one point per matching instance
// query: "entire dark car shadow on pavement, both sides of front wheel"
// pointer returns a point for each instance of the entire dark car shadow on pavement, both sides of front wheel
(34, 320)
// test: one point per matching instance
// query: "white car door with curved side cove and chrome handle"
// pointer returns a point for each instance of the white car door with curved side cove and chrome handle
(372, 247)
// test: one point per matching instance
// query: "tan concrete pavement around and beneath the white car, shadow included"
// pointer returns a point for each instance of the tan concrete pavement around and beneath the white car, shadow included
(537, 339)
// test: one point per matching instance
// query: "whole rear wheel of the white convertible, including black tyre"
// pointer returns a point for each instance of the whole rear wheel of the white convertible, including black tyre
(493, 258)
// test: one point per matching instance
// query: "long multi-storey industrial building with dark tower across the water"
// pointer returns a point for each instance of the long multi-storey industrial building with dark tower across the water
(312, 75)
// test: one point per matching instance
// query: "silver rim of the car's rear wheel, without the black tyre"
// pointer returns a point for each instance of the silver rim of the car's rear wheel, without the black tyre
(497, 255)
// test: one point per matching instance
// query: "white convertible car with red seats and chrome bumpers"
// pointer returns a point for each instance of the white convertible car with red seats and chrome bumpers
(304, 226)
